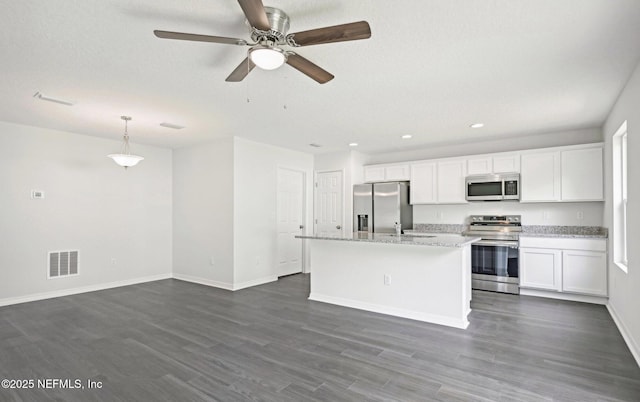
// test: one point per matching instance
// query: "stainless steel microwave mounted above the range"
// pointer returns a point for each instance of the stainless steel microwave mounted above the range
(493, 187)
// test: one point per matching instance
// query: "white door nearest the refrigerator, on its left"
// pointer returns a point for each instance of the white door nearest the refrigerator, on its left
(328, 210)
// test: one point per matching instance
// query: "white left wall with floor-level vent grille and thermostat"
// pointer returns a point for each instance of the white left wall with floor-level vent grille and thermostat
(90, 204)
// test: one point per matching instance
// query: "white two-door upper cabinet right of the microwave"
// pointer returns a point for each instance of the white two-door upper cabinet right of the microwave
(567, 174)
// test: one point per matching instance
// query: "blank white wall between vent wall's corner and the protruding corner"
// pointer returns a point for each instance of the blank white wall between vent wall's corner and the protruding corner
(203, 213)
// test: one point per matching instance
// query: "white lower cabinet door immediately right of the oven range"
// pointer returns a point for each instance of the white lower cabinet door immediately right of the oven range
(540, 268)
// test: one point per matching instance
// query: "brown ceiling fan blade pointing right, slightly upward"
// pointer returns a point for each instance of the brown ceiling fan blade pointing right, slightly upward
(336, 33)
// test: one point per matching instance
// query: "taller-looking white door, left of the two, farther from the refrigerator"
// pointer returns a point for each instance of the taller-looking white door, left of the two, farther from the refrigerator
(290, 217)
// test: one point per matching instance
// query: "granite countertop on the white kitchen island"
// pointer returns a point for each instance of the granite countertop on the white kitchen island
(444, 240)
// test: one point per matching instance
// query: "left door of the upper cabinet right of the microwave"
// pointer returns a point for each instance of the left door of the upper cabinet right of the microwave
(540, 177)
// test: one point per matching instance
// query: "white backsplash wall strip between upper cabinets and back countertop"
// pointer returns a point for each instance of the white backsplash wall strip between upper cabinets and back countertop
(543, 213)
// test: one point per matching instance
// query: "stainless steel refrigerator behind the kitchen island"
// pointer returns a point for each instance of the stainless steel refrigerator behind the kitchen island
(377, 207)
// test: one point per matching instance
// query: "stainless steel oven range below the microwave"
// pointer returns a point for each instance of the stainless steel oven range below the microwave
(494, 259)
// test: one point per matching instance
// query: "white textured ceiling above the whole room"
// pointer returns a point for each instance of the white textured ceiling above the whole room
(430, 69)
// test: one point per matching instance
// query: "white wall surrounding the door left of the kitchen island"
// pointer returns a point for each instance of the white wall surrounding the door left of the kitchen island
(255, 195)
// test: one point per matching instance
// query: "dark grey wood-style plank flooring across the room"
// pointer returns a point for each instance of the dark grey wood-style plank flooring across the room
(176, 341)
